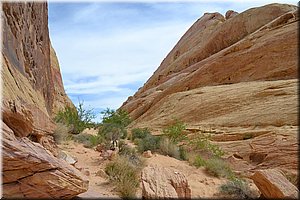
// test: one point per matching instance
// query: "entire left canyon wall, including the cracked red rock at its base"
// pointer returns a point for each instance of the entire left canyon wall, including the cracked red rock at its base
(32, 93)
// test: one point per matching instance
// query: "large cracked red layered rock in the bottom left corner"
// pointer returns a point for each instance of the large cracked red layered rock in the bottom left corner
(31, 171)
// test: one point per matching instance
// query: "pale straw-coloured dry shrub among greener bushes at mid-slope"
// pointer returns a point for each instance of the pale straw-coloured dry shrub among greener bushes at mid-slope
(167, 147)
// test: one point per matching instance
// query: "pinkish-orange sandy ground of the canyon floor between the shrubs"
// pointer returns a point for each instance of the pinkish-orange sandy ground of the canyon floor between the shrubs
(202, 184)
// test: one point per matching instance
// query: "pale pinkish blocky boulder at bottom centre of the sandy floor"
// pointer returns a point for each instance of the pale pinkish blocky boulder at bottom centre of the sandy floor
(164, 183)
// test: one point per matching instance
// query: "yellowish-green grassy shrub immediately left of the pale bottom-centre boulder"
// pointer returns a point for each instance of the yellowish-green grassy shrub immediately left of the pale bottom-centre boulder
(124, 175)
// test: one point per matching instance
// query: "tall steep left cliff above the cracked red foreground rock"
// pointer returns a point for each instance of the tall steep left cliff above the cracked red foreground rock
(32, 84)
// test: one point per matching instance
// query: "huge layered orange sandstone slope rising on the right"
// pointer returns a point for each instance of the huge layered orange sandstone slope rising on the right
(236, 78)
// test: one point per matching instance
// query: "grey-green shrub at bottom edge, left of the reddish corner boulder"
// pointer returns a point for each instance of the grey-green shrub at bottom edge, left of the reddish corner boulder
(238, 188)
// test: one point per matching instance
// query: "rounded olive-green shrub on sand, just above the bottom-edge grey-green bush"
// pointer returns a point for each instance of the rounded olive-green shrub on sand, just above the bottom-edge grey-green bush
(219, 168)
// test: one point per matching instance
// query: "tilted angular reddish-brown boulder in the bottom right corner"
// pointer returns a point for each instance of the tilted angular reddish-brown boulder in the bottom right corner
(273, 184)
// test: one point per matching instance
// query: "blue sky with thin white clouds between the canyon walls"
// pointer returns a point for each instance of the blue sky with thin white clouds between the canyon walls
(107, 50)
